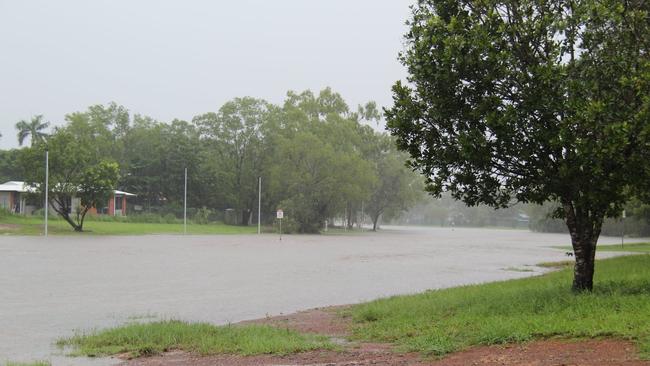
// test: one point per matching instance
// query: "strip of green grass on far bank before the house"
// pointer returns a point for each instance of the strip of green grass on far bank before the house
(26, 225)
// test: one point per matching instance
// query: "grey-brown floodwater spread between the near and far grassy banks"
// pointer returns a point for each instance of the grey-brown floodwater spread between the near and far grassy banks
(50, 288)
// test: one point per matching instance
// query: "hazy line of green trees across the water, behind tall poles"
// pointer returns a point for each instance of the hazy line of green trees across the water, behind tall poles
(318, 159)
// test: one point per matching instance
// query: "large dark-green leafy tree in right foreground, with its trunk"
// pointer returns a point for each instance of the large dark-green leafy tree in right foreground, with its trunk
(530, 101)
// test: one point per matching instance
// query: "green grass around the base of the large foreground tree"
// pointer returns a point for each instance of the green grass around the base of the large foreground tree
(449, 320)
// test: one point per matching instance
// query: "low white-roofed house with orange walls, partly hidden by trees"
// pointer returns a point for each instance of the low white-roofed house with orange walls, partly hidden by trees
(13, 197)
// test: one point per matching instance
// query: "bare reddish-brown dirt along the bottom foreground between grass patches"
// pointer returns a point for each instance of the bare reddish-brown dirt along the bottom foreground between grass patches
(328, 322)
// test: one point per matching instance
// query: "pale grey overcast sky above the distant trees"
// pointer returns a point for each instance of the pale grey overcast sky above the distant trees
(177, 59)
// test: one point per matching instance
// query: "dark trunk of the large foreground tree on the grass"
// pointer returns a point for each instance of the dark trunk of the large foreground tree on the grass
(584, 228)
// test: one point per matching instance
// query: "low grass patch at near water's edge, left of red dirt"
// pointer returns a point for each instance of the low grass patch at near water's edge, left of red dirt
(146, 339)
